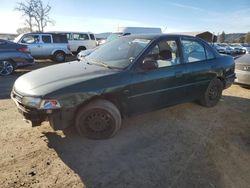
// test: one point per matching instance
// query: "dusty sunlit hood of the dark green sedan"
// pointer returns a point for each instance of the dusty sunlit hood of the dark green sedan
(46, 80)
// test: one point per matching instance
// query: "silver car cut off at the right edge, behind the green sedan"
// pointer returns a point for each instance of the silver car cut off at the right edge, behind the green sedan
(242, 70)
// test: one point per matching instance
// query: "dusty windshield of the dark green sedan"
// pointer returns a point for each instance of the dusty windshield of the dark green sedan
(118, 53)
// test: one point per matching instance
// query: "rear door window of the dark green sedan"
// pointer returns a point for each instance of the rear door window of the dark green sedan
(193, 51)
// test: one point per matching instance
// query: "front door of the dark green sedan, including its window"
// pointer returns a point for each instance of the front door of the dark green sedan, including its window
(163, 86)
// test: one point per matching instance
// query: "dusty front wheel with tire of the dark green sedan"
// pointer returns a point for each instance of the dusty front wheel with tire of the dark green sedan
(99, 119)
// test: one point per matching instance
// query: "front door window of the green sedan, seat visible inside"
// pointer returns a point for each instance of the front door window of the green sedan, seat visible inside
(165, 53)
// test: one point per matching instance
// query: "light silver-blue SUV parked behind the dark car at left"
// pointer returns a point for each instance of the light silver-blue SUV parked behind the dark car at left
(46, 45)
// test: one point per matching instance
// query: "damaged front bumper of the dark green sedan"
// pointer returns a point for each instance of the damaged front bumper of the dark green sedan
(59, 119)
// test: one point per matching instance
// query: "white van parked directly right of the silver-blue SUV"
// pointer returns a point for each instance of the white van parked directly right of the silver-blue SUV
(79, 41)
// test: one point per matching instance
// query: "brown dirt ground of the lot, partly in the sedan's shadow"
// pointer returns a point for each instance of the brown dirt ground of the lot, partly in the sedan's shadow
(182, 146)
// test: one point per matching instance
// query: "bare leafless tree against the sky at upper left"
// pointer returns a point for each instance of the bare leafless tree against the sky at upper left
(36, 14)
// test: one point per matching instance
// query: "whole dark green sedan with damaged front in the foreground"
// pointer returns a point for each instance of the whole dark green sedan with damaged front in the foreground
(129, 75)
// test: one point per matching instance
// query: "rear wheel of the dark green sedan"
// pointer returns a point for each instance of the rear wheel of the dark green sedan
(213, 93)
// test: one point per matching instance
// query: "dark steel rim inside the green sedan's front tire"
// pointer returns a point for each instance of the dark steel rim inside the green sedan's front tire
(98, 121)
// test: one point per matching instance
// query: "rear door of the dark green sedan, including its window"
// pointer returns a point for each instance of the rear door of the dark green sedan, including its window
(200, 62)
